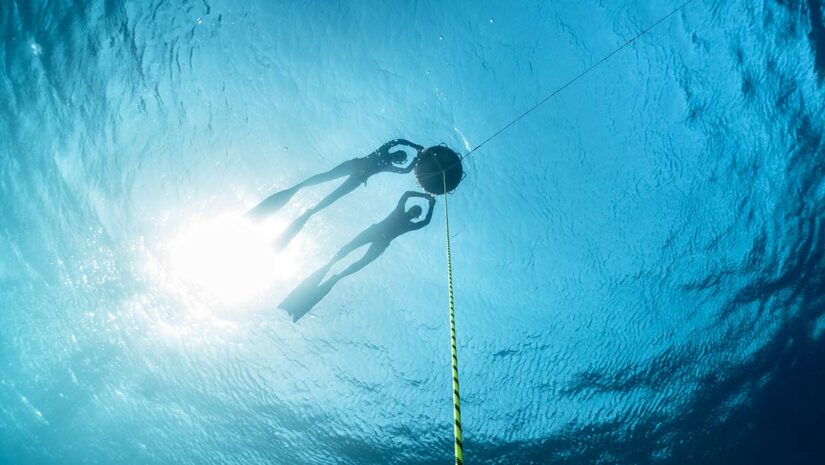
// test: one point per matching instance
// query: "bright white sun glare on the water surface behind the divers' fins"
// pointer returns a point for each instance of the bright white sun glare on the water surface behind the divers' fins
(228, 258)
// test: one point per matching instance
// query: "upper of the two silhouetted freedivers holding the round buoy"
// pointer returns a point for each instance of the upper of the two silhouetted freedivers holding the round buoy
(357, 171)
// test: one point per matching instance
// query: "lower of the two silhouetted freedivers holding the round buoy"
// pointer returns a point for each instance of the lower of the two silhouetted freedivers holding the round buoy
(377, 236)
